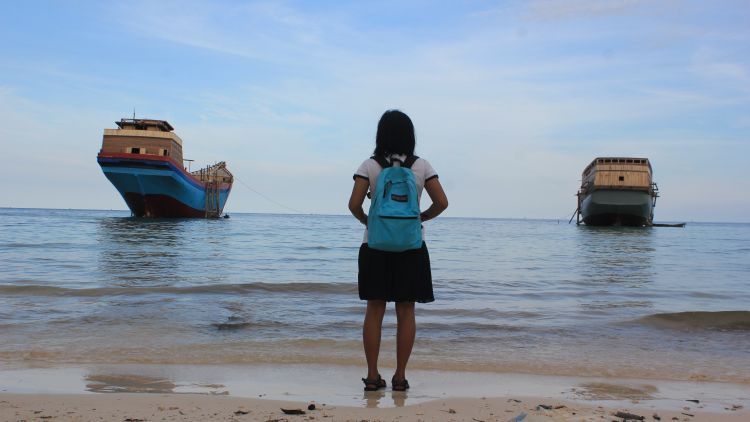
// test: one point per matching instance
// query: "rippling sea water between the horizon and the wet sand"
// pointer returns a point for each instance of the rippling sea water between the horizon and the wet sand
(523, 296)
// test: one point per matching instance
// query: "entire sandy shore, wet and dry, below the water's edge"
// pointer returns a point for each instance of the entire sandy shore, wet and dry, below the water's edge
(155, 392)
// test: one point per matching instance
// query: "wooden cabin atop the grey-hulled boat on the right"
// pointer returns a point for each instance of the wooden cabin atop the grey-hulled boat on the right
(617, 173)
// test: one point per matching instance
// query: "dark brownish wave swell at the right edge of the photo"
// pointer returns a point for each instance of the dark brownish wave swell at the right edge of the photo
(710, 321)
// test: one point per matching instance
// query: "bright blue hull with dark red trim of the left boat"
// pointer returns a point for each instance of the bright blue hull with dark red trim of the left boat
(154, 186)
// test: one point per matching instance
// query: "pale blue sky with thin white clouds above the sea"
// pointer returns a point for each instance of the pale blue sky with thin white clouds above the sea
(510, 99)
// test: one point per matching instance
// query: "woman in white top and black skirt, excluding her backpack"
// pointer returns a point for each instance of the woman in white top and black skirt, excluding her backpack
(401, 277)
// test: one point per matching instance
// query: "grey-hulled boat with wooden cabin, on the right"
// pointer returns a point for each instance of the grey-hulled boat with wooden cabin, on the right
(617, 191)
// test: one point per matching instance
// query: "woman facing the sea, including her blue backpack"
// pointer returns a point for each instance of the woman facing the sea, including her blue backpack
(394, 266)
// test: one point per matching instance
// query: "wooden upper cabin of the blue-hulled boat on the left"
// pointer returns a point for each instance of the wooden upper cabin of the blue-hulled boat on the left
(143, 137)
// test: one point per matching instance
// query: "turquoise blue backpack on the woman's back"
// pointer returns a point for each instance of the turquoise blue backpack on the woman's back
(393, 223)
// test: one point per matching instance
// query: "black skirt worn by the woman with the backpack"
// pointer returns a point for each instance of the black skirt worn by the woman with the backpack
(395, 276)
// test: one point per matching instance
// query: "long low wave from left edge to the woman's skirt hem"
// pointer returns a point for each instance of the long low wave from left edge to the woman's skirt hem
(296, 287)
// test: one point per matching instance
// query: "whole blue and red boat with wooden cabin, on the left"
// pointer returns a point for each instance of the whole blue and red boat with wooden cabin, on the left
(143, 160)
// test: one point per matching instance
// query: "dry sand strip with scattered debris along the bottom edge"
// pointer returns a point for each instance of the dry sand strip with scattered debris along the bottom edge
(195, 407)
